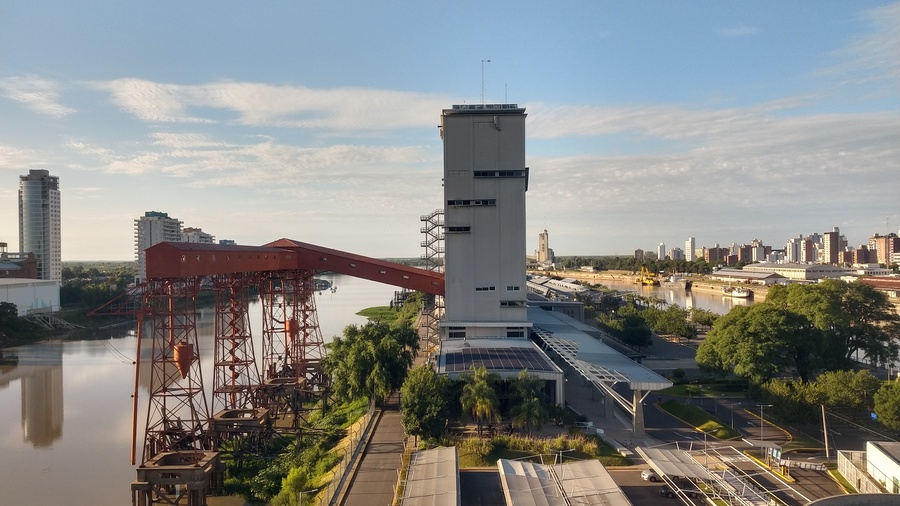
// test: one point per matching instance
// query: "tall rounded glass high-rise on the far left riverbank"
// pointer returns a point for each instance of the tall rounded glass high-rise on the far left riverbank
(40, 222)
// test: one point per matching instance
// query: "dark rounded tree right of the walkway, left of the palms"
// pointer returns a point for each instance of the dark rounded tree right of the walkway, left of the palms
(423, 406)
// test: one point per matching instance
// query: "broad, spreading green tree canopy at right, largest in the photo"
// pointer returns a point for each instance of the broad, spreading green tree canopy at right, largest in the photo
(803, 329)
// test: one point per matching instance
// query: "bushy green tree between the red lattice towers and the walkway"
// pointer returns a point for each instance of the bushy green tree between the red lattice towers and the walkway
(370, 360)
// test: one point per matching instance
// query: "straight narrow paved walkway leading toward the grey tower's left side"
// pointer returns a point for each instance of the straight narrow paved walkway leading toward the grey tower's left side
(375, 477)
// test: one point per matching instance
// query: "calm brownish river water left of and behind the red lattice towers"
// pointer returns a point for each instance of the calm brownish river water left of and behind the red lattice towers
(65, 409)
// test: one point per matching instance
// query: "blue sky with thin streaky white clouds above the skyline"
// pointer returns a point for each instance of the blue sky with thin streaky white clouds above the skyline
(647, 121)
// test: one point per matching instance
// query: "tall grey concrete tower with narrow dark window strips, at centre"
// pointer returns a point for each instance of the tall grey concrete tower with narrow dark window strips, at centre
(485, 180)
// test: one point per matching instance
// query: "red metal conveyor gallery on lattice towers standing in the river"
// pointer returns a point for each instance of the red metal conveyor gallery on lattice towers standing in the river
(251, 397)
